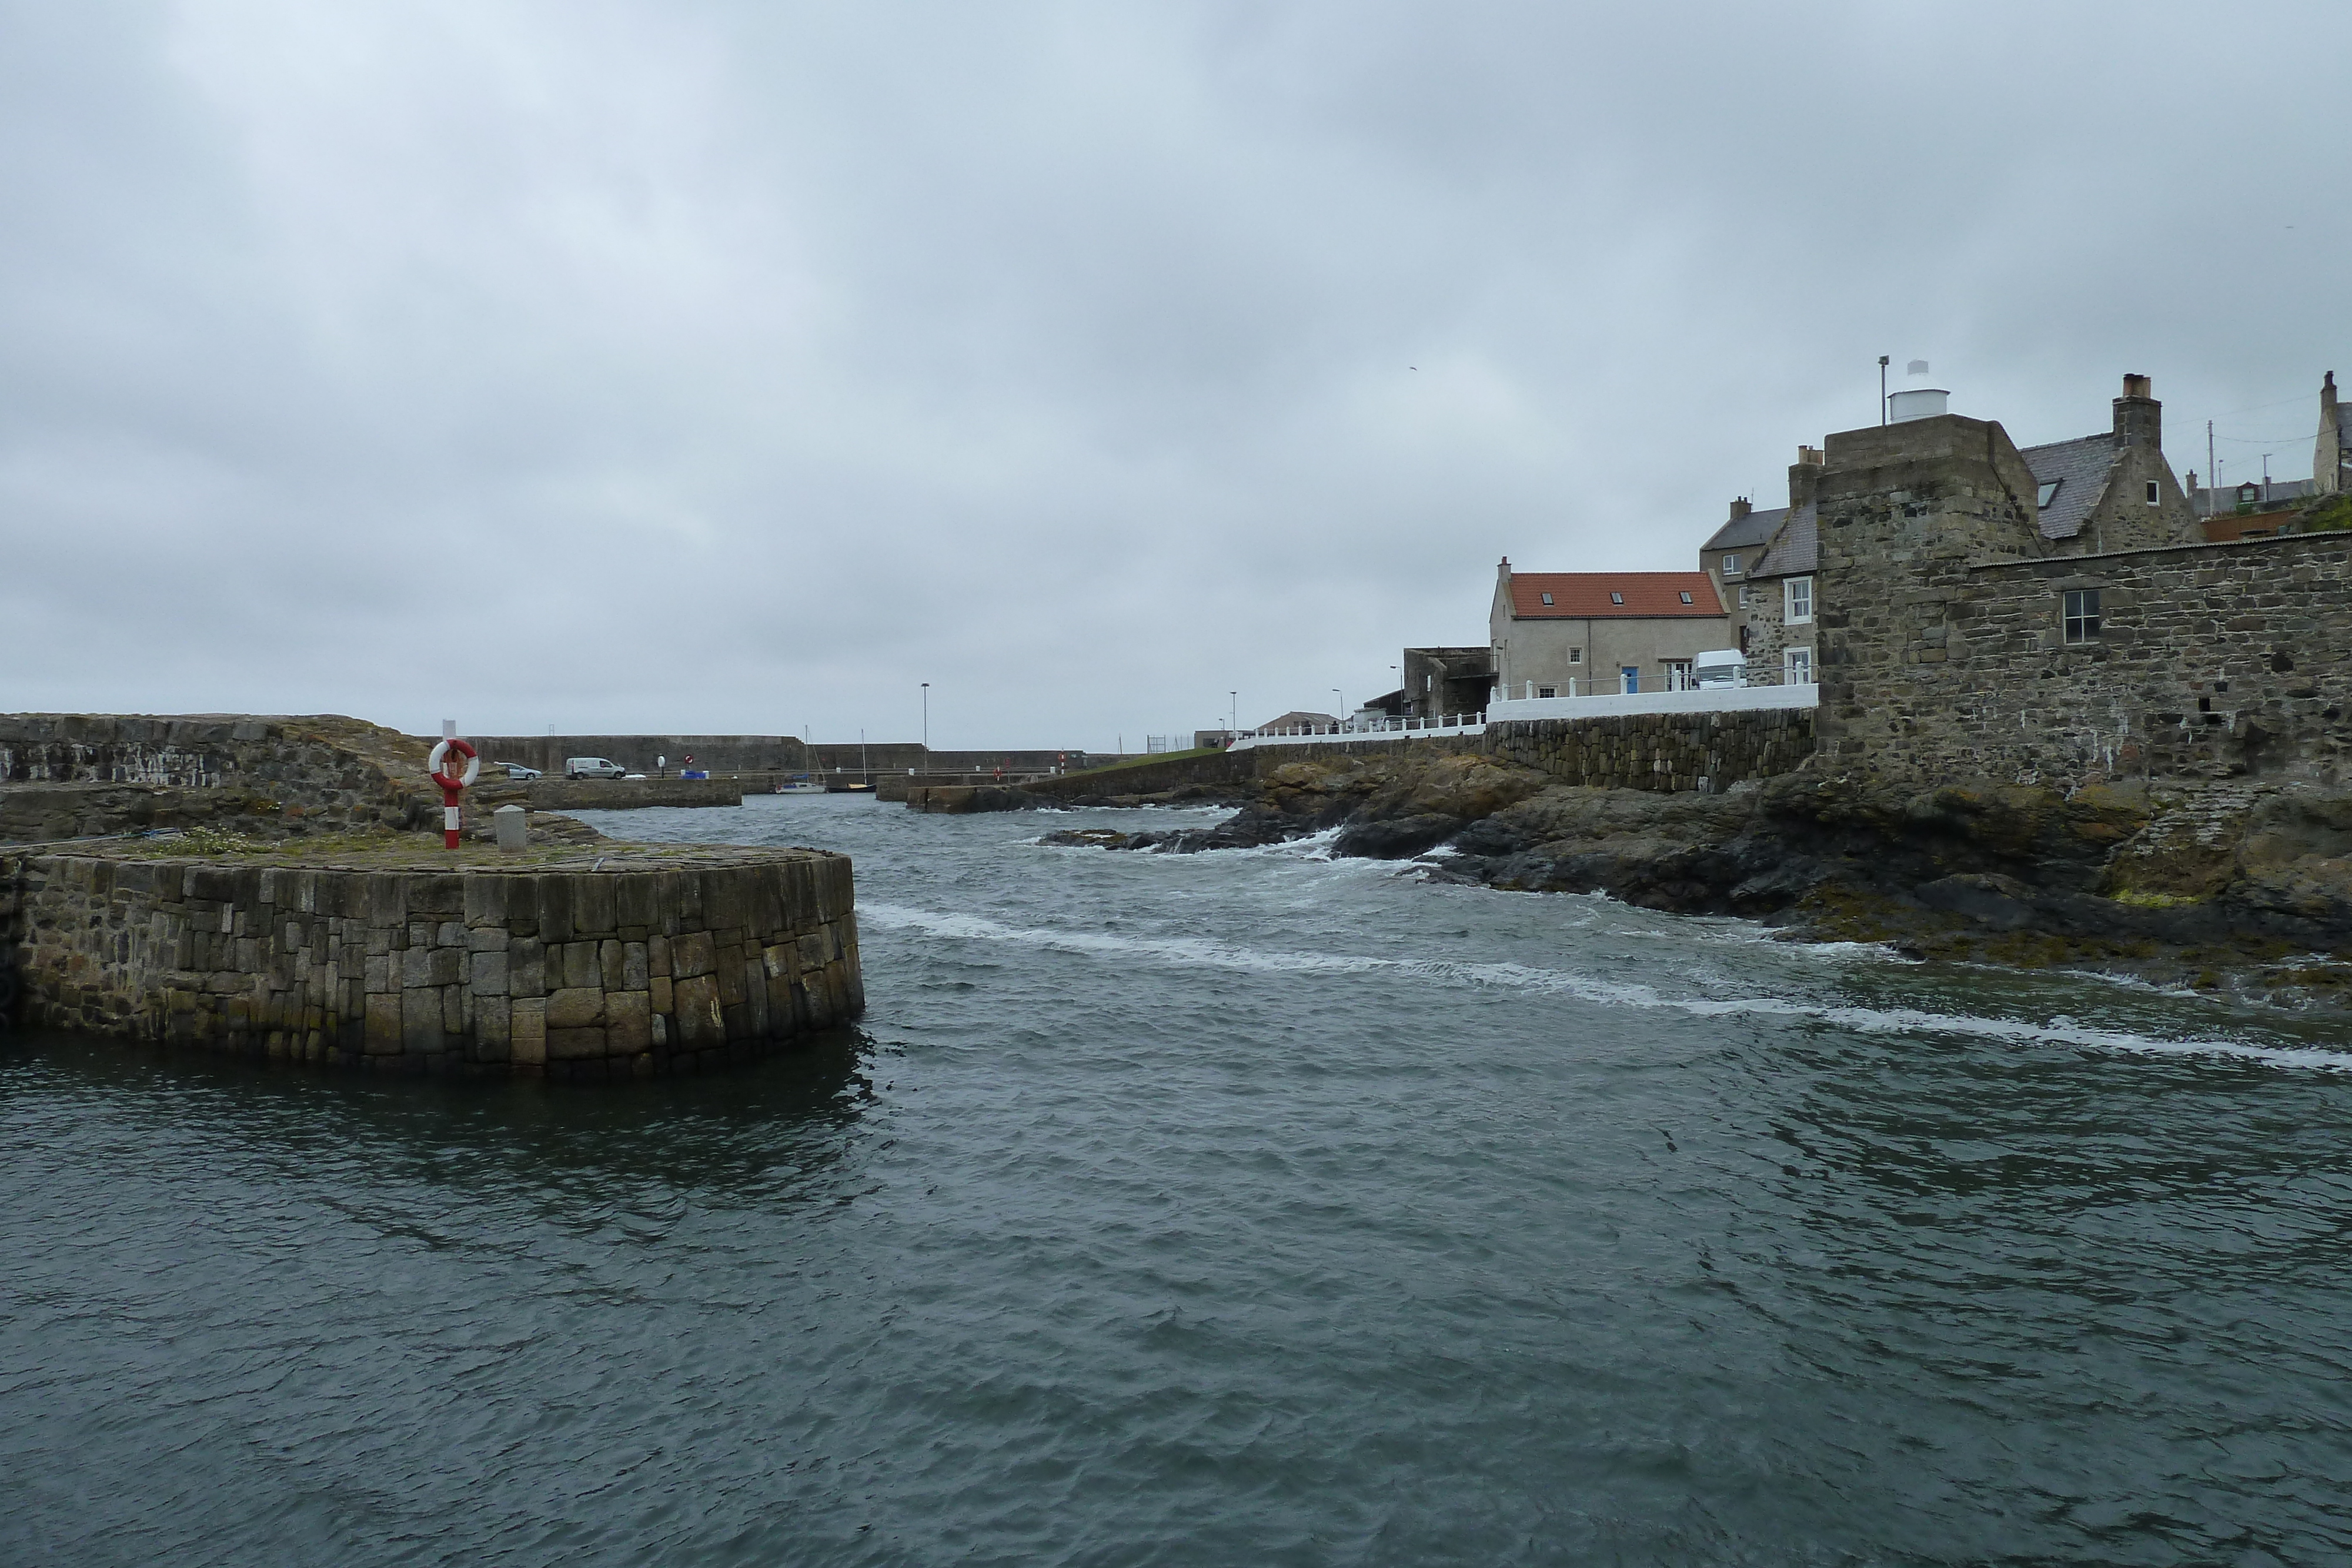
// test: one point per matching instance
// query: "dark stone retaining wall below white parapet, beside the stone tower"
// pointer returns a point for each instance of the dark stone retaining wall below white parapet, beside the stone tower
(1659, 751)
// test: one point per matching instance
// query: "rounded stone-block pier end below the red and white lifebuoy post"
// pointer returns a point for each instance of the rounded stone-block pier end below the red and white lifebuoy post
(636, 965)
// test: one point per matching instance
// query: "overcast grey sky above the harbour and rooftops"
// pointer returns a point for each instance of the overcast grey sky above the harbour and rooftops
(740, 368)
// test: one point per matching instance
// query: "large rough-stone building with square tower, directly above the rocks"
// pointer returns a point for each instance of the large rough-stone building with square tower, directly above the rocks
(1960, 634)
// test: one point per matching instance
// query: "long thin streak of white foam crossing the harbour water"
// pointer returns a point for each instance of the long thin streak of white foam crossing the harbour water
(1208, 953)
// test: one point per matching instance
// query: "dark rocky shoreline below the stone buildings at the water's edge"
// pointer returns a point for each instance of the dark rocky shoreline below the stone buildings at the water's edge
(2226, 885)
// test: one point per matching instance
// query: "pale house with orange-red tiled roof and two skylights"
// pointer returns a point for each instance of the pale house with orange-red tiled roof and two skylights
(1575, 634)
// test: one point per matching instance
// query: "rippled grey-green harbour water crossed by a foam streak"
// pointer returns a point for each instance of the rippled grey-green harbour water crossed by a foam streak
(1212, 1209)
